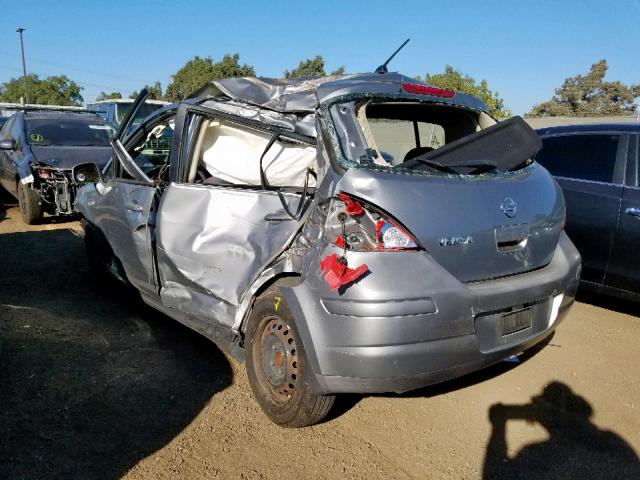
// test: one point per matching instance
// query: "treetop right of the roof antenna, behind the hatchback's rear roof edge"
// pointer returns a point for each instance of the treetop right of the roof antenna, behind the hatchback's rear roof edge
(453, 79)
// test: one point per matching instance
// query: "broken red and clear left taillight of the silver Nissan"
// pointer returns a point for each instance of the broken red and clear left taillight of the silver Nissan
(355, 225)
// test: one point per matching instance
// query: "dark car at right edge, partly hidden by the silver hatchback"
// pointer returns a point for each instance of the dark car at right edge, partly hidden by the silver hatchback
(597, 168)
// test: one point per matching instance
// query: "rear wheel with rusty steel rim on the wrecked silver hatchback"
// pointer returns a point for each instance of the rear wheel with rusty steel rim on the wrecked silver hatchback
(278, 368)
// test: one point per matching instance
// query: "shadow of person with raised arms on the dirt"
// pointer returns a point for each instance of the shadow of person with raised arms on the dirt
(576, 448)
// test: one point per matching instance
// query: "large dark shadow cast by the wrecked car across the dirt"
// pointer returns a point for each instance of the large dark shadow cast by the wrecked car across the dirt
(92, 381)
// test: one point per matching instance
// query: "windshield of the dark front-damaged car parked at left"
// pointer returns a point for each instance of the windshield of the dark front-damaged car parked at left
(56, 131)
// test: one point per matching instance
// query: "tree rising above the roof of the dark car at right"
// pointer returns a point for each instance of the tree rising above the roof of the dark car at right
(589, 96)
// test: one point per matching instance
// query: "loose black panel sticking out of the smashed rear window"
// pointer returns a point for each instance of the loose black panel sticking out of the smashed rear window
(502, 147)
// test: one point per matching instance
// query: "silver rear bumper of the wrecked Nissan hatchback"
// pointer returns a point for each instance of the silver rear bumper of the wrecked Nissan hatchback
(386, 335)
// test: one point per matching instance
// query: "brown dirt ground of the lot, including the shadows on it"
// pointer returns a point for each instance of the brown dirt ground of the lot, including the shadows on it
(95, 385)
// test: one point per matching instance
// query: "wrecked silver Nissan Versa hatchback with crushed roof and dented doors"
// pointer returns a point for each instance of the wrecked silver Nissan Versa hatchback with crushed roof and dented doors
(276, 227)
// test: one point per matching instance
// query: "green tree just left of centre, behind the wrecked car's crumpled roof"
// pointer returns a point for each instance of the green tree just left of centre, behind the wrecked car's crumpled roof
(198, 71)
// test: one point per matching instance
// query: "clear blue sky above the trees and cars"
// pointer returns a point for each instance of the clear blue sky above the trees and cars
(523, 49)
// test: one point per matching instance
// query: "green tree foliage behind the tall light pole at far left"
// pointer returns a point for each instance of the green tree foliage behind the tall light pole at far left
(54, 90)
